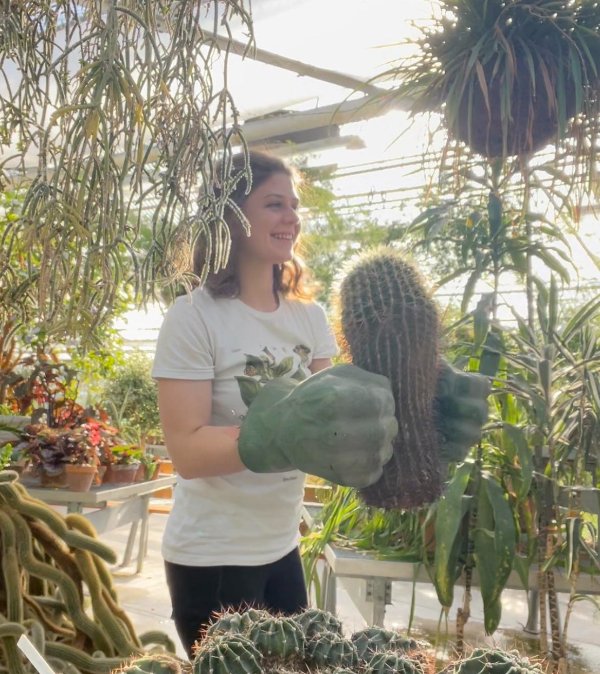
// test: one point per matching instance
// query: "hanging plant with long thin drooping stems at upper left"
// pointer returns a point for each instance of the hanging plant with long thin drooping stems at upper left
(112, 115)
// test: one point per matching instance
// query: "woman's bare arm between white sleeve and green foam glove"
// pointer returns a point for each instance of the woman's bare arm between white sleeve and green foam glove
(196, 449)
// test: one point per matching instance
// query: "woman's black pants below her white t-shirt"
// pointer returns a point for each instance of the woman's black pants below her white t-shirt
(198, 591)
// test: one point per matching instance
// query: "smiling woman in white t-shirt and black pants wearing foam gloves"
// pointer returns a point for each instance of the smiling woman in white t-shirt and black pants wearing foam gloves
(232, 535)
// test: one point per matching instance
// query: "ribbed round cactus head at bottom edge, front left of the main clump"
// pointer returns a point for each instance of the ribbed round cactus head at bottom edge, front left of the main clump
(227, 654)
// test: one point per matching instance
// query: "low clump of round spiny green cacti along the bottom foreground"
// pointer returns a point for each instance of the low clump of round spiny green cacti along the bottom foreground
(256, 642)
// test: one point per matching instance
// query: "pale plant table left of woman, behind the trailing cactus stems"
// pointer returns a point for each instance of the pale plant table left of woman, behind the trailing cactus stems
(110, 506)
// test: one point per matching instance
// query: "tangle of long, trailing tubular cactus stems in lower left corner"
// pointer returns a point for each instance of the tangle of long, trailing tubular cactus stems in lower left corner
(56, 588)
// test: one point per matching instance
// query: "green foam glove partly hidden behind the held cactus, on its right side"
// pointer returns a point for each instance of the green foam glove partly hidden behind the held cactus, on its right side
(462, 409)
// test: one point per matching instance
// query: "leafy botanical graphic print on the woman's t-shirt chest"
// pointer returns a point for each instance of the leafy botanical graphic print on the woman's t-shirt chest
(263, 368)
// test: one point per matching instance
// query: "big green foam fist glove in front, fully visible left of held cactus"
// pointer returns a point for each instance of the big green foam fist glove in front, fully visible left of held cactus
(338, 424)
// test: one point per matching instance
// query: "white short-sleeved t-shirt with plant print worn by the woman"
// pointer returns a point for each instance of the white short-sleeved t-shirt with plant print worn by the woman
(246, 518)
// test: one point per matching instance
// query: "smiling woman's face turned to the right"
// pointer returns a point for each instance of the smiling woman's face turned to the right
(272, 211)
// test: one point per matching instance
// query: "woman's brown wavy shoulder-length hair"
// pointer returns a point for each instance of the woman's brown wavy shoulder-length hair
(289, 278)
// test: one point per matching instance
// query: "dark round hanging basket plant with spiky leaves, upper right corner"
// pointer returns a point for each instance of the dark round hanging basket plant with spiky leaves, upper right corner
(509, 76)
